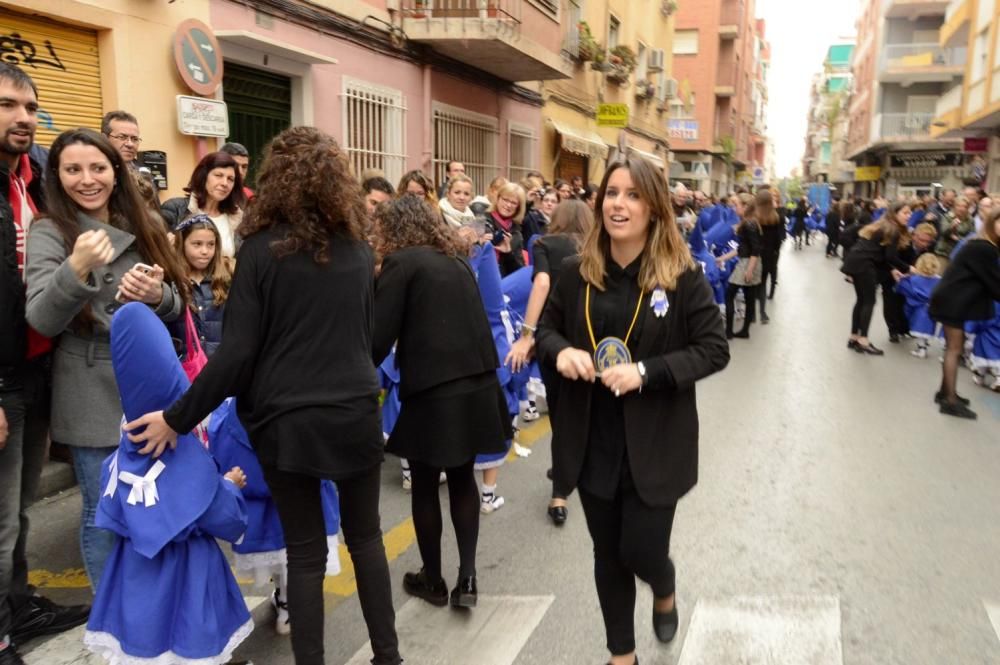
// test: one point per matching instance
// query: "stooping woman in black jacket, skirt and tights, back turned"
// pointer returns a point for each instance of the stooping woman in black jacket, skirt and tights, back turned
(427, 302)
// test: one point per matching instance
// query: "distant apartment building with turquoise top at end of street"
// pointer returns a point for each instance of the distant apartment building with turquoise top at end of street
(824, 158)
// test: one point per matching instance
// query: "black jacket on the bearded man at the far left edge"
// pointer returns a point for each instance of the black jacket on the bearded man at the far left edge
(13, 327)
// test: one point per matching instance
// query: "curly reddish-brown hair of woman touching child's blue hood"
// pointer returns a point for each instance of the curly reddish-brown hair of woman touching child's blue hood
(306, 184)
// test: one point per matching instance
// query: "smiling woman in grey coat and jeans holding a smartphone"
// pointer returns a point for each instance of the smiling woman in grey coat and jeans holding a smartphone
(96, 248)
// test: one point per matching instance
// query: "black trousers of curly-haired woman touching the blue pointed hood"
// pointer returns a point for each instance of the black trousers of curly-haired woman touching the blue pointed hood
(297, 497)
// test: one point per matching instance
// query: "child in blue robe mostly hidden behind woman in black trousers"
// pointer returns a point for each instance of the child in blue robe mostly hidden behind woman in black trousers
(261, 553)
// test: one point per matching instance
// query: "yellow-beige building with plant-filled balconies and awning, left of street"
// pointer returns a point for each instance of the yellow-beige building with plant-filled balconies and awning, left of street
(620, 53)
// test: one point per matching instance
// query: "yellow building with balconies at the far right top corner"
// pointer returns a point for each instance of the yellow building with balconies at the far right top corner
(970, 109)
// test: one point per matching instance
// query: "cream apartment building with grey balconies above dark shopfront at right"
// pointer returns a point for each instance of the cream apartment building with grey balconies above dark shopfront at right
(900, 71)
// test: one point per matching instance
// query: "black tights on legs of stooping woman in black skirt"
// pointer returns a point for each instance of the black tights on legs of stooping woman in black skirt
(463, 494)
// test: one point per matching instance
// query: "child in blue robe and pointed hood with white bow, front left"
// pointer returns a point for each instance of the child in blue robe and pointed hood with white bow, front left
(167, 594)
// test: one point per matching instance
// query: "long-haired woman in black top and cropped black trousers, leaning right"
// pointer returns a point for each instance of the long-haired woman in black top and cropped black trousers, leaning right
(875, 252)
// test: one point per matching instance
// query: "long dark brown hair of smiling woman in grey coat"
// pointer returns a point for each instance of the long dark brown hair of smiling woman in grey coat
(126, 211)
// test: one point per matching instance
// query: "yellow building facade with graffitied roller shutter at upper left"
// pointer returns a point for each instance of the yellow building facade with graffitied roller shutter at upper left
(92, 56)
